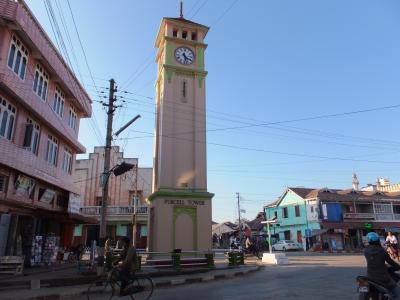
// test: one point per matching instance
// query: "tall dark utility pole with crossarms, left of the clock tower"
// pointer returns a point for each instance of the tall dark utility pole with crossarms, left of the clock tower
(107, 158)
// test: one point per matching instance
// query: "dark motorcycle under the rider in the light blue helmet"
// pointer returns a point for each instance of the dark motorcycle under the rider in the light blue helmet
(371, 290)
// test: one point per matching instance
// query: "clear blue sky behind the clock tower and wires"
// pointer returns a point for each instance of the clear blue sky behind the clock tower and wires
(268, 61)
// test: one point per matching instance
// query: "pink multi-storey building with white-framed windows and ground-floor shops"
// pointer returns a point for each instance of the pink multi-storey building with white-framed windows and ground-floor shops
(41, 104)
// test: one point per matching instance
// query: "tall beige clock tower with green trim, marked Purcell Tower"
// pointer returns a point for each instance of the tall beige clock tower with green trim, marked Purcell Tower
(180, 209)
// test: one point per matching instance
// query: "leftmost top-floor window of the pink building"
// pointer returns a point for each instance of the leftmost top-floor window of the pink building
(17, 57)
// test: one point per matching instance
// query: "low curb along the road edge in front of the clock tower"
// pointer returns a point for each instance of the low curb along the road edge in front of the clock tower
(159, 284)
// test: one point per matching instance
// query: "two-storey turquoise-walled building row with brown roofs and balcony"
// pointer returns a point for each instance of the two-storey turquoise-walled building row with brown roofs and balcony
(335, 219)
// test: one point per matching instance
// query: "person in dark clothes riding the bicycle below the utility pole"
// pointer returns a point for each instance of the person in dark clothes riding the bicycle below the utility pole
(128, 264)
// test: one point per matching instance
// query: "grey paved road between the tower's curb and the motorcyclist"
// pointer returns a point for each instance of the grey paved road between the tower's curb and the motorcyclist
(307, 277)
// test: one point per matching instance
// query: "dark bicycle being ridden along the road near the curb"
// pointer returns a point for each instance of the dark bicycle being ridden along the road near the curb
(140, 287)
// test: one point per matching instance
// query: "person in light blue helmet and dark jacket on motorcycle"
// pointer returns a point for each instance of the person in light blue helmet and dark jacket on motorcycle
(377, 270)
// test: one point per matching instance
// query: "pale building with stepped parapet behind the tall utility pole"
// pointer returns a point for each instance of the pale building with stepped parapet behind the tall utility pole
(123, 190)
